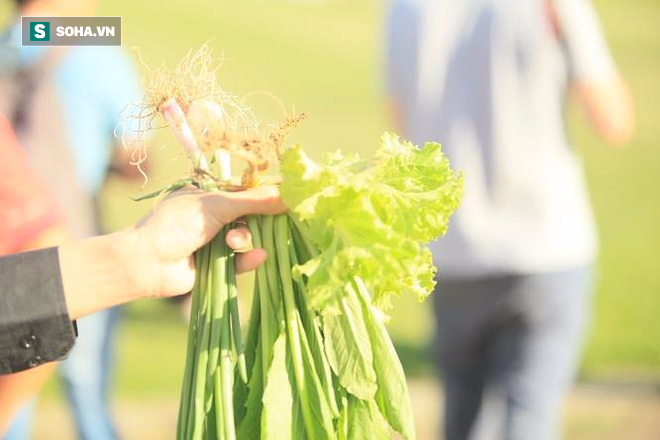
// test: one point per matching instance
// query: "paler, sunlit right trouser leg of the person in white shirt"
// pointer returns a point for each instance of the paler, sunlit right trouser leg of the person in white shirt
(536, 355)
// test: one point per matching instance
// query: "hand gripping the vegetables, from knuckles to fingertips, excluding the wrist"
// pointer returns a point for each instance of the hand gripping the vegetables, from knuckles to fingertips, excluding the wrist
(167, 238)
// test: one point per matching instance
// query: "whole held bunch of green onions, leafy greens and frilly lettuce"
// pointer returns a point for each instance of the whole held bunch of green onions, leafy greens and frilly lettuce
(316, 361)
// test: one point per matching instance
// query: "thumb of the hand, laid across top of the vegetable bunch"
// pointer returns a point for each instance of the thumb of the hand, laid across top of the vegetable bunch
(230, 206)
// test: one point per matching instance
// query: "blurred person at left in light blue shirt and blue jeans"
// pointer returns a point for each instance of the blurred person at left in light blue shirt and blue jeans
(94, 85)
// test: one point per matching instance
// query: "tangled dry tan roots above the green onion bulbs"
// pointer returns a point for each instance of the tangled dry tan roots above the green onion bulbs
(194, 85)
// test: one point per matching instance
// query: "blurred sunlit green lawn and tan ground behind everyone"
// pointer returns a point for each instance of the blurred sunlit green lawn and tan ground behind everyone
(325, 58)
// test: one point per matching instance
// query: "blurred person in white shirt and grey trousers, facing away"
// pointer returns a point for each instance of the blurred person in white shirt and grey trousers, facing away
(489, 79)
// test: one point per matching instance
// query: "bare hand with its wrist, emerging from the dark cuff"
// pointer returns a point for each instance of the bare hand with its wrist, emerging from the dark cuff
(153, 258)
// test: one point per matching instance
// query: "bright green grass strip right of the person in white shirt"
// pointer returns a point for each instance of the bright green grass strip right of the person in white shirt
(625, 186)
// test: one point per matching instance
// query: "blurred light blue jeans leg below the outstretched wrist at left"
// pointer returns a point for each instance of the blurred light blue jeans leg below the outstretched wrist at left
(86, 375)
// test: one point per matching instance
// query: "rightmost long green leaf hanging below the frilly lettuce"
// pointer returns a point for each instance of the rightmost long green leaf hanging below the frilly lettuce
(392, 395)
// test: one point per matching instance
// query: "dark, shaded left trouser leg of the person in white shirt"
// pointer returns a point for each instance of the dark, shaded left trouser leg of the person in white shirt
(466, 313)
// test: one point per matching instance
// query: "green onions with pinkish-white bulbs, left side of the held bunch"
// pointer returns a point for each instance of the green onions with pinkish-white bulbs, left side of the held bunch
(215, 356)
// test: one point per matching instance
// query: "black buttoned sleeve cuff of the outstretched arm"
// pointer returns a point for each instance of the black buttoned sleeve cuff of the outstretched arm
(35, 327)
